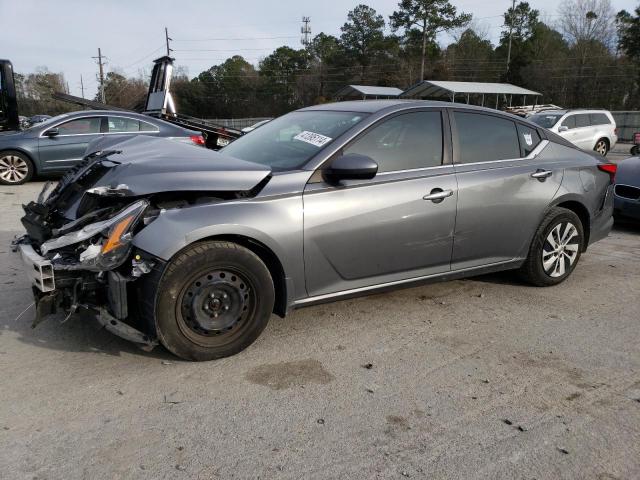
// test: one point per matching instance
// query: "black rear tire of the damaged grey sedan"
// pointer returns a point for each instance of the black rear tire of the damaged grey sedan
(533, 270)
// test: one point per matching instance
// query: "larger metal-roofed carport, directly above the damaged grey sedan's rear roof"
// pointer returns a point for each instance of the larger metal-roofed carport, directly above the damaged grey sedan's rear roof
(447, 89)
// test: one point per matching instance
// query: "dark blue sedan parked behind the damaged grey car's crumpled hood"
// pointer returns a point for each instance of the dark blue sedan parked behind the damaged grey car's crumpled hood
(57, 144)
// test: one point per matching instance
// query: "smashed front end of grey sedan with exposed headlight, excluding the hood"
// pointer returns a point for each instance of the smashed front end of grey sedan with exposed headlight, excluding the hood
(86, 263)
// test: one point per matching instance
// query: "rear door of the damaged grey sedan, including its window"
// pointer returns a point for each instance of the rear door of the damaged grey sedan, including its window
(504, 187)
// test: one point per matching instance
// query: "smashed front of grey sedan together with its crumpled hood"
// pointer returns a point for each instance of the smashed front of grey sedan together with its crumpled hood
(78, 243)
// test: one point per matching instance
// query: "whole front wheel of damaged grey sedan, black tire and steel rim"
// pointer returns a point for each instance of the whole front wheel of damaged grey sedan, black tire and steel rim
(187, 292)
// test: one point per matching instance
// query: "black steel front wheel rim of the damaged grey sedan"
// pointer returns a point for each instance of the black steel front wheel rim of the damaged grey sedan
(215, 304)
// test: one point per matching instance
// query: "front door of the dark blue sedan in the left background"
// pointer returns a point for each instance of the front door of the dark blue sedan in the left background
(68, 146)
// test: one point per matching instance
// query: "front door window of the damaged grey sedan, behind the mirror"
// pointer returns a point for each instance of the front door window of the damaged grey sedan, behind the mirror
(404, 142)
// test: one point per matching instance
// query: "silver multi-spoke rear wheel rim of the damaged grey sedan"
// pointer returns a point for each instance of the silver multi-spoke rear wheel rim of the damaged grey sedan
(560, 249)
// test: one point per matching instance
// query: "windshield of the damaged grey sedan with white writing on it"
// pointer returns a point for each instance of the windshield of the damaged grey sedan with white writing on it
(288, 142)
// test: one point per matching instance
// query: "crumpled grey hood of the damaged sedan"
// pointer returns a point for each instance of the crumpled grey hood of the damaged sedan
(149, 165)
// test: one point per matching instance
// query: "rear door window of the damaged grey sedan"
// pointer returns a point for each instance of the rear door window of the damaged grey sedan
(483, 138)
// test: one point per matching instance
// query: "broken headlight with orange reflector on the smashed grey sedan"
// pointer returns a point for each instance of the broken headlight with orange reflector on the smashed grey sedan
(108, 241)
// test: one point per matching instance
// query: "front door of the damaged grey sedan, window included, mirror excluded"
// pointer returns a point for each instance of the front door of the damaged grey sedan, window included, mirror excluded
(370, 232)
